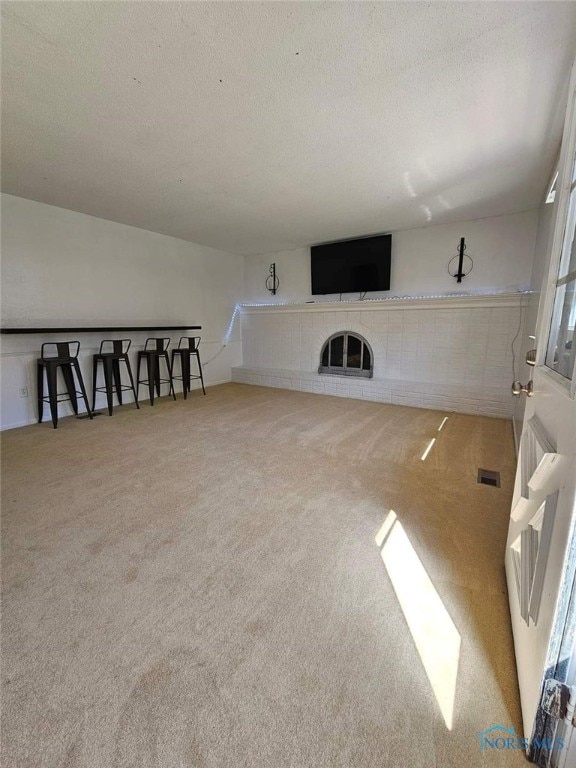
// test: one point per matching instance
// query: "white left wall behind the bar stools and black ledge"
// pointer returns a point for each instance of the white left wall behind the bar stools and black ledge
(61, 268)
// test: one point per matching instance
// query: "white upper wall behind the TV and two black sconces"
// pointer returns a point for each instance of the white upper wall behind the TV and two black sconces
(502, 248)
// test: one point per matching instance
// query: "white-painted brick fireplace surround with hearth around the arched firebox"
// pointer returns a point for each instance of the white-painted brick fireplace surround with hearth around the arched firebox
(452, 353)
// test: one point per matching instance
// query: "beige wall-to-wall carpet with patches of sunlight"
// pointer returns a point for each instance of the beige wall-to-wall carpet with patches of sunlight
(198, 585)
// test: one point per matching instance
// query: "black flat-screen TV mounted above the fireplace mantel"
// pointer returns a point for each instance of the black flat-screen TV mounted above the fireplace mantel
(352, 265)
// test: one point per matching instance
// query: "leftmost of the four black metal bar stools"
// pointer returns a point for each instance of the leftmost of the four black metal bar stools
(65, 358)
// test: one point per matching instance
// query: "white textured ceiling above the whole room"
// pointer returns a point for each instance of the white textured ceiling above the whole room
(256, 127)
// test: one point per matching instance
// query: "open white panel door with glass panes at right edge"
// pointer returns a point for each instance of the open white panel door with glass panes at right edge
(540, 553)
